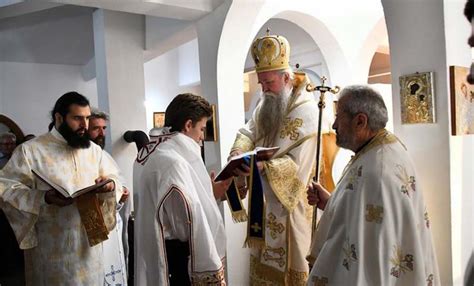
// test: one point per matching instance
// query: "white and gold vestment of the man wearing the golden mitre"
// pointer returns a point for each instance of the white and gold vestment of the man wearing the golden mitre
(282, 259)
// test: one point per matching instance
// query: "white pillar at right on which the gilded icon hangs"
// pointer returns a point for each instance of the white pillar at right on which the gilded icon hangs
(419, 32)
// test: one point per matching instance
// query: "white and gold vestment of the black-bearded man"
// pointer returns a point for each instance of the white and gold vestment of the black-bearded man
(57, 250)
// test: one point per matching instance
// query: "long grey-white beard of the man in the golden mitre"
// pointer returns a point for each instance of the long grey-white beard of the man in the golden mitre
(271, 115)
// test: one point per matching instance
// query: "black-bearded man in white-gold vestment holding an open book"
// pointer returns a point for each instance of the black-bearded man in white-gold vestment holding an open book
(61, 236)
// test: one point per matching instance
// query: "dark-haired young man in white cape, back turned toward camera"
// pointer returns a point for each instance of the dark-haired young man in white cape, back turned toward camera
(179, 231)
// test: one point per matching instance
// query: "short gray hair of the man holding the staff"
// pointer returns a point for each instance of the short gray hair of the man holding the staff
(364, 99)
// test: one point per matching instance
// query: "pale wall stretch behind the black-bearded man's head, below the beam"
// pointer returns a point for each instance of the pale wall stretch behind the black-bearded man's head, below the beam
(28, 92)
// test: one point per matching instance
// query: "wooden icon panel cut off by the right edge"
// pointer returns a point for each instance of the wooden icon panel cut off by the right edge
(462, 101)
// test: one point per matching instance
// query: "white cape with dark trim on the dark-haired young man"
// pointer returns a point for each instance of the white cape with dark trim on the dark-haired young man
(176, 201)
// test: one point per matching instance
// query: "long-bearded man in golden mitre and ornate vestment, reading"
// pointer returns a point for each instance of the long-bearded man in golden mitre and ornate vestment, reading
(286, 117)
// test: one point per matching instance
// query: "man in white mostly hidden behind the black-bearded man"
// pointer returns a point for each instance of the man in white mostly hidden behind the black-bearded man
(115, 270)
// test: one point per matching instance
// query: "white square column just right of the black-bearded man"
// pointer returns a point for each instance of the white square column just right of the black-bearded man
(119, 43)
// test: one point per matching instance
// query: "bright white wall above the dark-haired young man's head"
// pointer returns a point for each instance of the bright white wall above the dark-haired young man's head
(169, 75)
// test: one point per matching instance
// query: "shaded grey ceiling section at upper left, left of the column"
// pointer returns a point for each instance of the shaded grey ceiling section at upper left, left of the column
(60, 35)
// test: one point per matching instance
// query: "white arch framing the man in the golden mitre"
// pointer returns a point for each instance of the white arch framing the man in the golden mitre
(235, 40)
